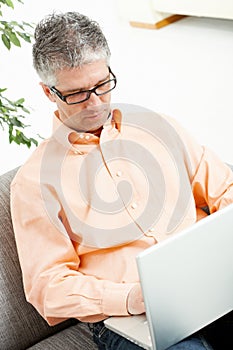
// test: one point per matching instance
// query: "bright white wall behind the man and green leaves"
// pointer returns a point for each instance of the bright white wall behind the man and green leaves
(184, 70)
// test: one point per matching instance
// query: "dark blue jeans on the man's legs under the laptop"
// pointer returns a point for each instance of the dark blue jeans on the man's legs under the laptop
(108, 340)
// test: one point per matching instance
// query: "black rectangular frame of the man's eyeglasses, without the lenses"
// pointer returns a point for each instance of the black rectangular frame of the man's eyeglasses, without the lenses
(89, 92)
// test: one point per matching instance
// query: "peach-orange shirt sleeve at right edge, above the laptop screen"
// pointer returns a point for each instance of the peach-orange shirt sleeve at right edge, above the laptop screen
(211, 179)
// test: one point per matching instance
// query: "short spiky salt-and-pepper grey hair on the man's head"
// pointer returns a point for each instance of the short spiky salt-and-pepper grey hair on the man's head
(67, 40)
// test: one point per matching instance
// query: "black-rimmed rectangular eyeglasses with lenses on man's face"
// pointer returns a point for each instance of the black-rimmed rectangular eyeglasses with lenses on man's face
(84, 95)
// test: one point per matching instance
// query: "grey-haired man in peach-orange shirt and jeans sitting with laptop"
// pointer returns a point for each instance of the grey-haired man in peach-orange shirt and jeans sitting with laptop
(108, 184)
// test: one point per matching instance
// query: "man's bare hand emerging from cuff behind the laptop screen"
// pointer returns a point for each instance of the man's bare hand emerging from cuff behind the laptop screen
(135, 303)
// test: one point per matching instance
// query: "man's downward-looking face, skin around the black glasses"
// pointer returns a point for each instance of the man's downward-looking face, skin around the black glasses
(91, 114)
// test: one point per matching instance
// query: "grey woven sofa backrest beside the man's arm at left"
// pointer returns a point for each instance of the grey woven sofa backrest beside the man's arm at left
(20, 324)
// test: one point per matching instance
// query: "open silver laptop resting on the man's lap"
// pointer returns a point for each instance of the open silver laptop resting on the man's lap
(187, 283)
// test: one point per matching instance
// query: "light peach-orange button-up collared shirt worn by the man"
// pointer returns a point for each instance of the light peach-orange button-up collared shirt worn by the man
(84, 206)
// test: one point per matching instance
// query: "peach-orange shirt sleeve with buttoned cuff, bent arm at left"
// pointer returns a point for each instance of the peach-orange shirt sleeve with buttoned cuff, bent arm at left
(50, 264)
